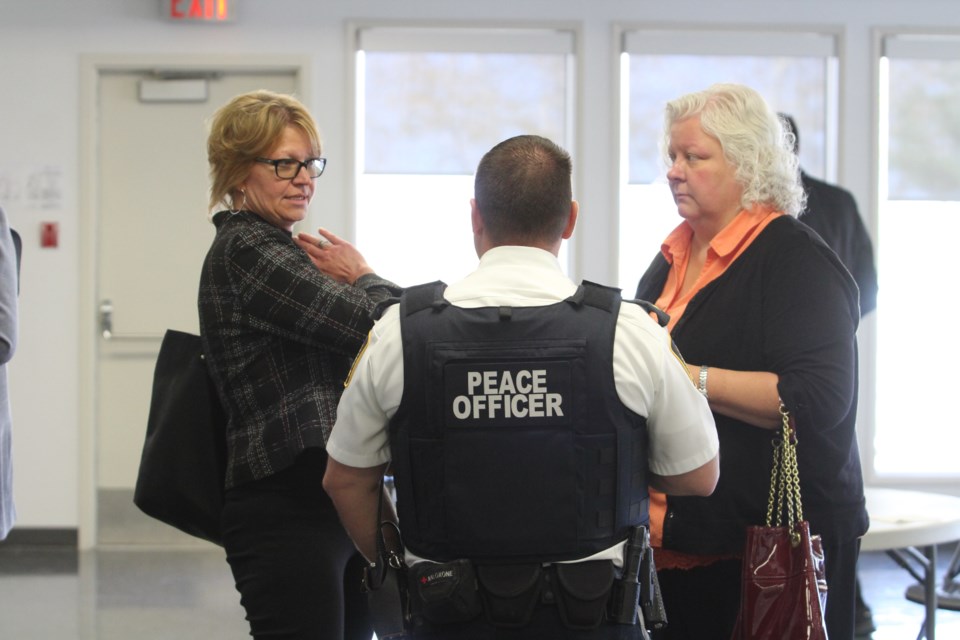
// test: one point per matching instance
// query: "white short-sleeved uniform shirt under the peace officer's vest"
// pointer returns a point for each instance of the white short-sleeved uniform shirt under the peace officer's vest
(650, 379)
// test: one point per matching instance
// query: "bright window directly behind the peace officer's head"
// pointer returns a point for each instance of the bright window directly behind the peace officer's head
(430, 103)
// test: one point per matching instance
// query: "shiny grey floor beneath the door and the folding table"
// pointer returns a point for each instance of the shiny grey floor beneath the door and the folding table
(131, 593)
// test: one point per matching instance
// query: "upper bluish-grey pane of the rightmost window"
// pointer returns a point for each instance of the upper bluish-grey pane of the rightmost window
(924, 130)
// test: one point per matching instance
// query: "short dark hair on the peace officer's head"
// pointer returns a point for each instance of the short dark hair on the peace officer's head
(523, 190)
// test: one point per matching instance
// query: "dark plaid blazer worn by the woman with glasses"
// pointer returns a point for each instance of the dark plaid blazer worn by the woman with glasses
(279, 337)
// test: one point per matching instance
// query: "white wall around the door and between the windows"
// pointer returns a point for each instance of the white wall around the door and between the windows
(41, 44)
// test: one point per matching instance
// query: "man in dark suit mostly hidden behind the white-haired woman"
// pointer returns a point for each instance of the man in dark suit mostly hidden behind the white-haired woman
(832, 212)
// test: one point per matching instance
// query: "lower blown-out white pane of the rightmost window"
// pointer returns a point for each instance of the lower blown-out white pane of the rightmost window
(915, 433)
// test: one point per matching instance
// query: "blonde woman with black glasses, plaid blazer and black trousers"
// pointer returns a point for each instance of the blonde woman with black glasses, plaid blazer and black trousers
(279, 336)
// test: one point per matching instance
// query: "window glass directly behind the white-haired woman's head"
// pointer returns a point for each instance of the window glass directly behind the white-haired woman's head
(795, 85)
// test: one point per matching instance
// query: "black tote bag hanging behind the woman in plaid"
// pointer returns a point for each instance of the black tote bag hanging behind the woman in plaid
(182, 467)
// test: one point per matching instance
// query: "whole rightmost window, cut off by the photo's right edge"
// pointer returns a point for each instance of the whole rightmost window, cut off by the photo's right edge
(919, 217)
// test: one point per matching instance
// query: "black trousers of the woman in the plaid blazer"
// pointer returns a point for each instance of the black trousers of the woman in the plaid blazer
(296, 569)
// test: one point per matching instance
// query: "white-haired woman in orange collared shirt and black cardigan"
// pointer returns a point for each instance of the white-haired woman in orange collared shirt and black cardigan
(766, 315)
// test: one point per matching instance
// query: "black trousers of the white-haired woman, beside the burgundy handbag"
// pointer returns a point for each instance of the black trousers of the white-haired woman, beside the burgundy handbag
(702, 603)
